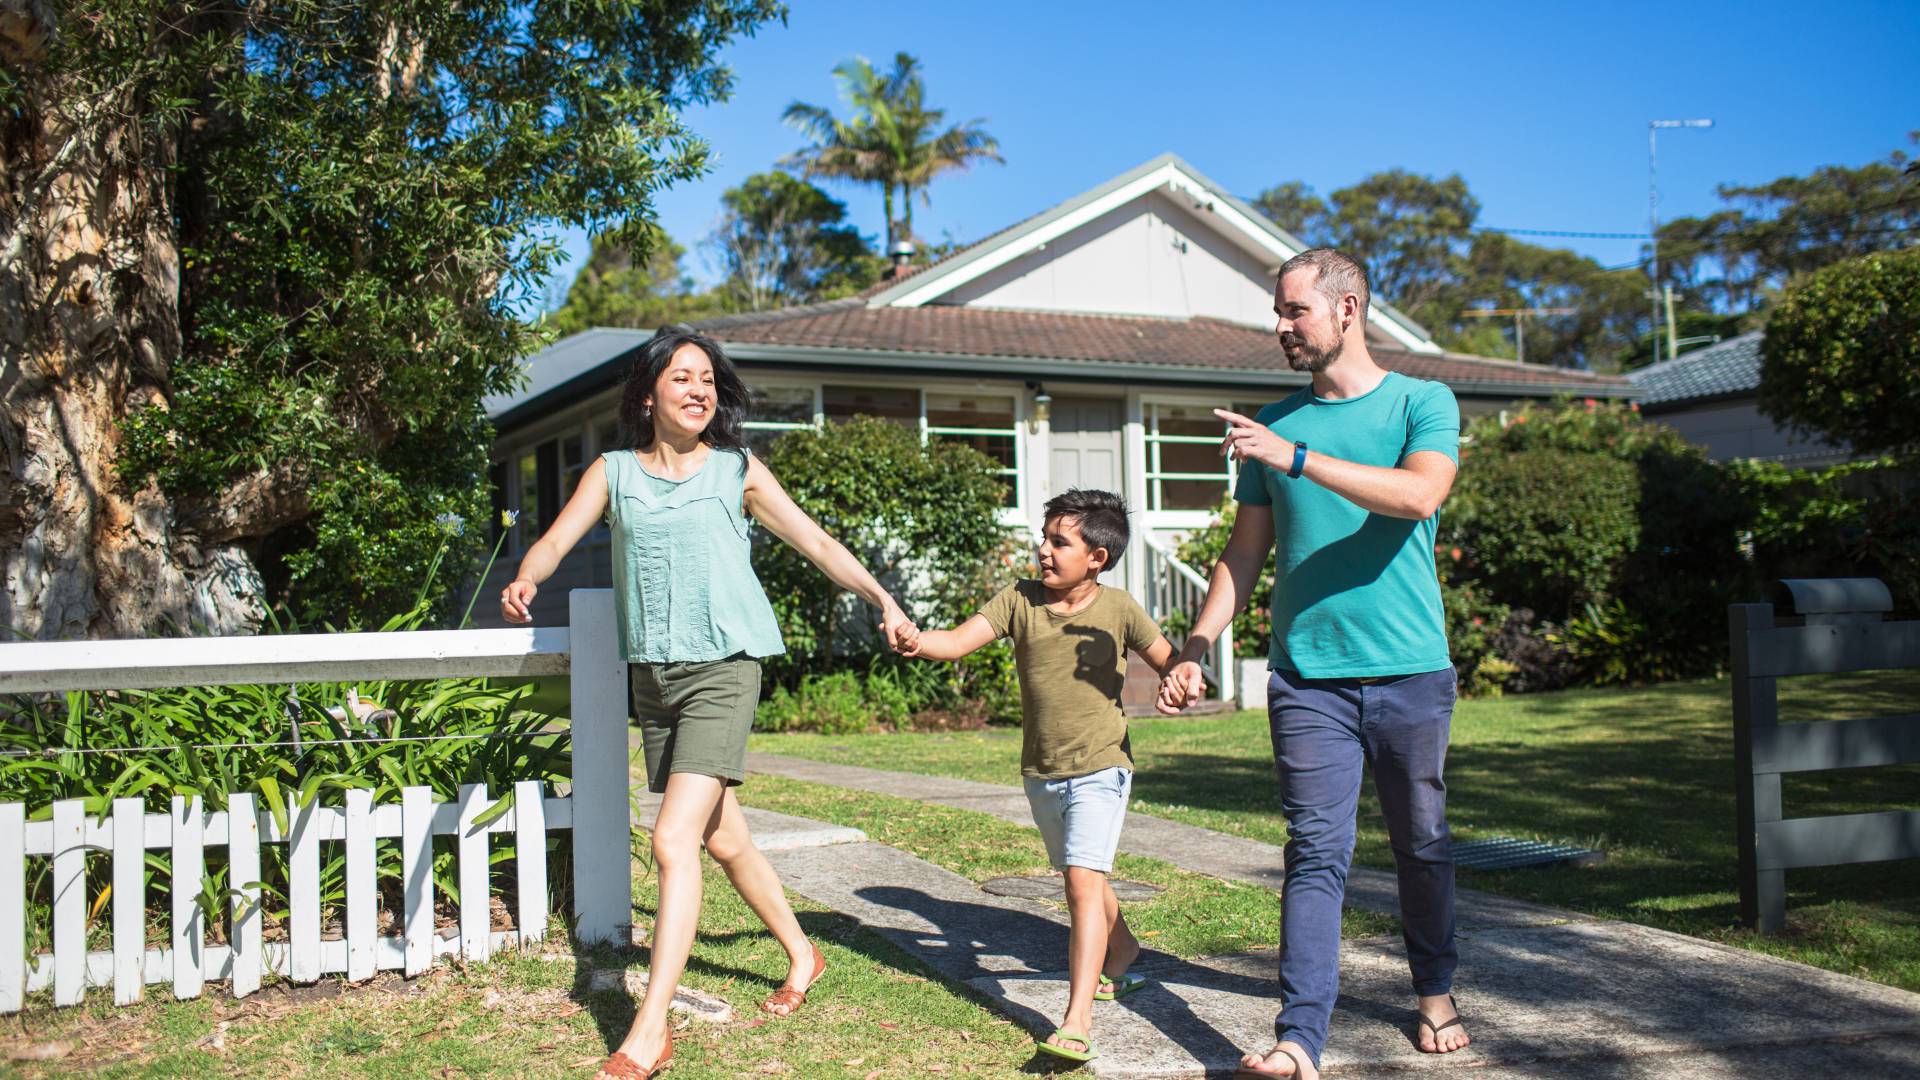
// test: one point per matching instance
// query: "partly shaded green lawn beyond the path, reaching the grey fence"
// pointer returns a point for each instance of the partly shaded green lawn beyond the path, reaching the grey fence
(1646, 775)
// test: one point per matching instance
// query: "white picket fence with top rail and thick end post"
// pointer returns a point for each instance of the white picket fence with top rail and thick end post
(596, 810)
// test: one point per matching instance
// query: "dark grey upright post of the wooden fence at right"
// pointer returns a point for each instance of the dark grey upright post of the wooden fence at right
(1764, 900)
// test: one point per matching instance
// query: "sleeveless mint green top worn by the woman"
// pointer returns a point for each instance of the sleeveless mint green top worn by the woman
(683, 574)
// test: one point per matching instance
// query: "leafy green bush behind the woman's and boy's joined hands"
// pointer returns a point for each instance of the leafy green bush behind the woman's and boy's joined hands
(907, 512)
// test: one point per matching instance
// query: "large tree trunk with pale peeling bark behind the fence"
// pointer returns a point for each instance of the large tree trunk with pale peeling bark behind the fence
(89, 330)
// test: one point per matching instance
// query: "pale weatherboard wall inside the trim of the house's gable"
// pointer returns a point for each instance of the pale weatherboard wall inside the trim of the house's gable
(1149, 257)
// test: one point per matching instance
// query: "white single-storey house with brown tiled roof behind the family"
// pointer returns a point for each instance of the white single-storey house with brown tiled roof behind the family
(1084, 347)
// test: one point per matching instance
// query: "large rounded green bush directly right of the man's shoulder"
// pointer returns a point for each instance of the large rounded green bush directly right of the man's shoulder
(1608, 528)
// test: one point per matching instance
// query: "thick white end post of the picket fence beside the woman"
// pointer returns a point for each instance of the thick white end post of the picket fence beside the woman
(604, 875)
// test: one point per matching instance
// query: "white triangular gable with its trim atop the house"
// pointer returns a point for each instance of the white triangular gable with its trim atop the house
(1161, 241)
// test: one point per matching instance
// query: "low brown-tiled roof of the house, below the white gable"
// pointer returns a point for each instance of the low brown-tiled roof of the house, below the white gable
(1026, 345)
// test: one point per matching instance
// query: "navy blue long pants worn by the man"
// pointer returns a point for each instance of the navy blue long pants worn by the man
(1326, 735)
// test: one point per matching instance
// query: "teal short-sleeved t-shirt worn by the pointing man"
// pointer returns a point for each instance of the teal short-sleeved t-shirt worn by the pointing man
(1355, 593)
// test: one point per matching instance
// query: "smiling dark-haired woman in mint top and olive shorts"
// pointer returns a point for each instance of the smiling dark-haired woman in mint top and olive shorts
(694, 626)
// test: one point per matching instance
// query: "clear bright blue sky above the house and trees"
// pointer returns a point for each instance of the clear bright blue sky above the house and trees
(1541, 107)
